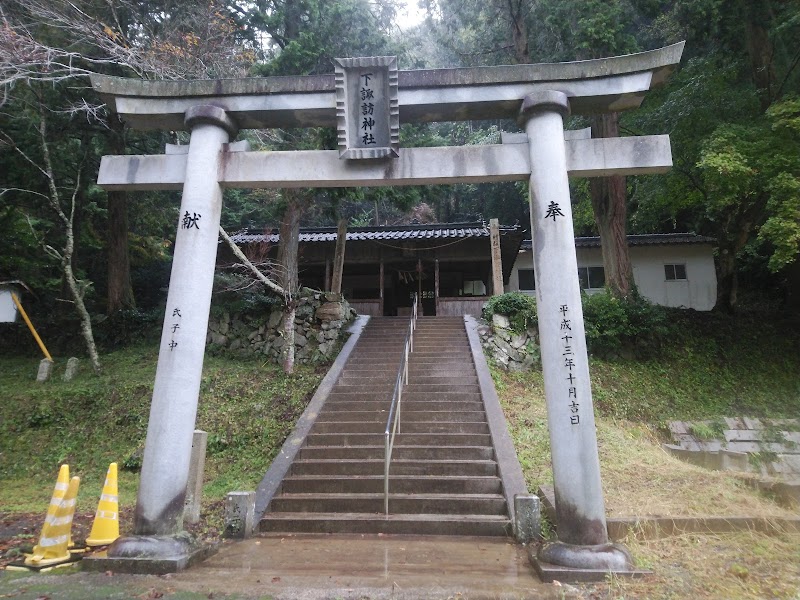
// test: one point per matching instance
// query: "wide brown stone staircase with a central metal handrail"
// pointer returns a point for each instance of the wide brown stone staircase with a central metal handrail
(444, 478)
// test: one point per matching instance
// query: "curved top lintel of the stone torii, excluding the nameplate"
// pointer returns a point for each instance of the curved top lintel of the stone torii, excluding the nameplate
(598, 85)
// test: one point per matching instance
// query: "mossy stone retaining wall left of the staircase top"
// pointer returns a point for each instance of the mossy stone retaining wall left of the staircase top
(319, 319)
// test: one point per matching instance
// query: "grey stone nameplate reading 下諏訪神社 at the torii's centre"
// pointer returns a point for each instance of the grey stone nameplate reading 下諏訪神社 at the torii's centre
(367, 114)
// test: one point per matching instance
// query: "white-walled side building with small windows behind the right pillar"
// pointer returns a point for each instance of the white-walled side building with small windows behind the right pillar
(675, 269)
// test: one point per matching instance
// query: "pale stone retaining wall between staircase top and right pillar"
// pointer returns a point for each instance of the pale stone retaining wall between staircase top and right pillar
(508, 349)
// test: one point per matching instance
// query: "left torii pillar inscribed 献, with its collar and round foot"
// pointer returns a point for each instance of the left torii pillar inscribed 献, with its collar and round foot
(158, 526)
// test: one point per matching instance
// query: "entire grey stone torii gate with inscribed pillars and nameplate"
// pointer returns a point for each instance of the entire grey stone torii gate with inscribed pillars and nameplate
(366, 100)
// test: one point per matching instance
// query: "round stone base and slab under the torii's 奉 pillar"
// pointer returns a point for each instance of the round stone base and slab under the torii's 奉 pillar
(557, 561)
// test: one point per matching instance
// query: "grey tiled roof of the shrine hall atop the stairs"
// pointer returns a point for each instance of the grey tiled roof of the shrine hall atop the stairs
(396, 232)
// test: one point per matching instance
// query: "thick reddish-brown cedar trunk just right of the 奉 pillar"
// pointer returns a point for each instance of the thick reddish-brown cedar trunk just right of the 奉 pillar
(609, 198)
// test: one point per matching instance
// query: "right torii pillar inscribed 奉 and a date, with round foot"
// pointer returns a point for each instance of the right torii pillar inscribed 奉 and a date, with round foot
(580, 510)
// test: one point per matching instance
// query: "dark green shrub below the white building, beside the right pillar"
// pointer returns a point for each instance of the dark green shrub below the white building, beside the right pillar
(614, 325)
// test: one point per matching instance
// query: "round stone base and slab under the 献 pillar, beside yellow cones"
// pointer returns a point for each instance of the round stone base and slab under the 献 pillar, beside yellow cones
(151, 555)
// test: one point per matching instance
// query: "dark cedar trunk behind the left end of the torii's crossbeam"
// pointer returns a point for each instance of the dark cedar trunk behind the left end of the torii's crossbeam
(120, 290)
